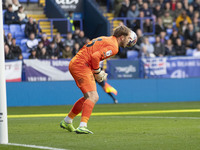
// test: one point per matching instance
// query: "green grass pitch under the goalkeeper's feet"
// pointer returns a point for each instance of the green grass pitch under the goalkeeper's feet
(159, 131)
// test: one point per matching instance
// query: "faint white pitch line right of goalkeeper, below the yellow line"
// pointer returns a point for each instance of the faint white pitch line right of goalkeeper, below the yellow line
(152, 117)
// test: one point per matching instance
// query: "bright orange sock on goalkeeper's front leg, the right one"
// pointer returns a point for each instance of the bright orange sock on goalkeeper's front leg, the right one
(87, 110)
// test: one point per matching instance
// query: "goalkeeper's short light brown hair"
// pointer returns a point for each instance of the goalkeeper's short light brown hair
(121, 30)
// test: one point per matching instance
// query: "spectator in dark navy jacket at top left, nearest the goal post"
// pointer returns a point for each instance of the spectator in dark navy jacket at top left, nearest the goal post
(11, 17)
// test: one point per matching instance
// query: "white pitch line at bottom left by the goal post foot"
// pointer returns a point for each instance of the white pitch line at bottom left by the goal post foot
(35, 146)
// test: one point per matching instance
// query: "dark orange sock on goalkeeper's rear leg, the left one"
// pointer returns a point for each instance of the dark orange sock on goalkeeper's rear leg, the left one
(77, 108)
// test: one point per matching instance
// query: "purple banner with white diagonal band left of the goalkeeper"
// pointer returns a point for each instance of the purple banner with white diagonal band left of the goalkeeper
(47, 70)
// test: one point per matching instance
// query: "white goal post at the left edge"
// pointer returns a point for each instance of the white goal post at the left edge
(3, 100)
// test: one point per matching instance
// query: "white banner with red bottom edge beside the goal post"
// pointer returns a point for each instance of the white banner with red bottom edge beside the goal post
(13, 71)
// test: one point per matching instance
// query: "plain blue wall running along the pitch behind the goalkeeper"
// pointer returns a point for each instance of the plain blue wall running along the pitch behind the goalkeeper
(129, 91)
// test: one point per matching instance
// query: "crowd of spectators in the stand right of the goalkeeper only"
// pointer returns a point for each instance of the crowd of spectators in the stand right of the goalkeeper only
(177, 25)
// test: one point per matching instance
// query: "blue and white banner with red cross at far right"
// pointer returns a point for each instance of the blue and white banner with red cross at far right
(172, 67)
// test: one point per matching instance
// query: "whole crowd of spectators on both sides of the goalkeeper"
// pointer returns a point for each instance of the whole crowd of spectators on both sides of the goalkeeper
(177, 30)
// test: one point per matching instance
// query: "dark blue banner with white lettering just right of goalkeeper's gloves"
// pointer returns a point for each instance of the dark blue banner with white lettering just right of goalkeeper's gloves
(123, 69)
